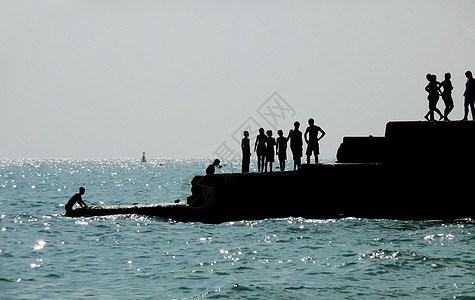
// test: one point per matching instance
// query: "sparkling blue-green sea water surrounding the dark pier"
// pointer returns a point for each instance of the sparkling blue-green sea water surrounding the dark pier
(44, 255)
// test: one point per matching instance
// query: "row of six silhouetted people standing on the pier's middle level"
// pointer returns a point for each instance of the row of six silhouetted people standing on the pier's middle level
(266, 147)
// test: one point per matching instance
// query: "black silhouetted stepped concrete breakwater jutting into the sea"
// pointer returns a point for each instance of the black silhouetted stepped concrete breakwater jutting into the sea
(417, 171)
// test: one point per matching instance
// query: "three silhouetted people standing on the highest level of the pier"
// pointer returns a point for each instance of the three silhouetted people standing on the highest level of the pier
(434, 90)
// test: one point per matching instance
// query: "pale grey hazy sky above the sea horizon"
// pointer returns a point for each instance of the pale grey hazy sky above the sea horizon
(182, 79)
